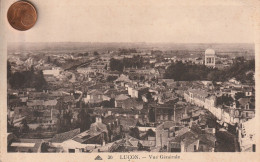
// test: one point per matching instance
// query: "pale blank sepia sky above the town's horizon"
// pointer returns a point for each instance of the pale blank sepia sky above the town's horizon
(225, 21)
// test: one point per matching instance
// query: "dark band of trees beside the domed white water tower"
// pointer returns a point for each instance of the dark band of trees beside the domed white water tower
(192, 72)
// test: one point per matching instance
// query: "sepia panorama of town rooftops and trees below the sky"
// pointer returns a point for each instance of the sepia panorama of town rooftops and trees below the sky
(130, 97)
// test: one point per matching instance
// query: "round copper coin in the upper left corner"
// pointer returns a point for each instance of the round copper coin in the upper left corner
(22, 15)
